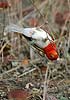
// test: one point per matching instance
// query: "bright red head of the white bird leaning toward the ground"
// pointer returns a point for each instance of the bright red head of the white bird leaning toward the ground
(51, 51)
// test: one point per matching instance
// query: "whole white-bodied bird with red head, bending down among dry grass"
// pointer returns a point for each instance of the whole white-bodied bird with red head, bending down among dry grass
(38, 38)
